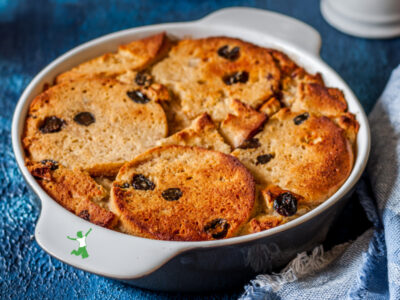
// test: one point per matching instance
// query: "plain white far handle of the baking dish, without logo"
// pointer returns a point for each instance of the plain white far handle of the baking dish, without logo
(282, 27)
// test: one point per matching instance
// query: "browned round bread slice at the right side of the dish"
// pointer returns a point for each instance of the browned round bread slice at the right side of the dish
(306, 154)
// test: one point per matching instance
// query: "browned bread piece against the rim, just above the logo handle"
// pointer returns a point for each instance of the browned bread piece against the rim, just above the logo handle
(75, 190)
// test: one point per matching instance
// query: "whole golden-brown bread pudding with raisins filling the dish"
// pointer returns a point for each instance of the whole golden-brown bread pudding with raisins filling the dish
(196, 139)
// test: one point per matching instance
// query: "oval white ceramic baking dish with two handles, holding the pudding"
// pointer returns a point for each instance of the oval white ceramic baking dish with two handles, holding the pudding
(193, 266)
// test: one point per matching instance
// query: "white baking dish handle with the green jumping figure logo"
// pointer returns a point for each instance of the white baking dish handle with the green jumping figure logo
(107, 253)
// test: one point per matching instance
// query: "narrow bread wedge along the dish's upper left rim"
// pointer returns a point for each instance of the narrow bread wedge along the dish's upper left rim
(134, 56)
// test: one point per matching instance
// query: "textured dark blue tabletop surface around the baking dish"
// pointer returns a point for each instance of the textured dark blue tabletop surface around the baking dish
(34, 32)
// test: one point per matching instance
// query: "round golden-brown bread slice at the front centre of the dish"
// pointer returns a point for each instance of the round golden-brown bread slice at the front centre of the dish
(183, 193)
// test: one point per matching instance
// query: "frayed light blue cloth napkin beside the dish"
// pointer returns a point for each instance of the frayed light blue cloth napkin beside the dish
(369, 267)
